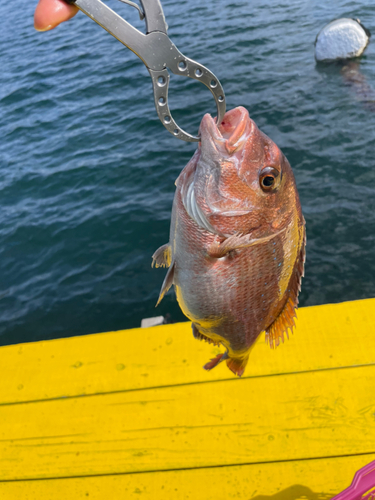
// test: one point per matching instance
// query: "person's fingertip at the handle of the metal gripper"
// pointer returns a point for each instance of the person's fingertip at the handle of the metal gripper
(50, 13)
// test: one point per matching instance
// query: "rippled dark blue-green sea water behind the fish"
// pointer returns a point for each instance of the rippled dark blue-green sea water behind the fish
(87, 170)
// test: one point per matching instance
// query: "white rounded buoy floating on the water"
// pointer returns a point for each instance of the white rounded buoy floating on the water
(341, 39)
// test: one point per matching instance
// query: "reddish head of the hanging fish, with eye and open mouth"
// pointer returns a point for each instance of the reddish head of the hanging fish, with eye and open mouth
(238, 181)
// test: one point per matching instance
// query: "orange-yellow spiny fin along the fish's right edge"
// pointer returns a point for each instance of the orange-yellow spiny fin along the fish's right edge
(285, 320)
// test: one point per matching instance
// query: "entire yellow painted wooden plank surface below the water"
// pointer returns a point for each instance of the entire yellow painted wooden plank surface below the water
(132, 414)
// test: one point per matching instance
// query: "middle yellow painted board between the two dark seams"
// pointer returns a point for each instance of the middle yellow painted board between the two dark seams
(286, 417)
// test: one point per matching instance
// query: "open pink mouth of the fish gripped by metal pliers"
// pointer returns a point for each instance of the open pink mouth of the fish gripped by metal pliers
(230, 135)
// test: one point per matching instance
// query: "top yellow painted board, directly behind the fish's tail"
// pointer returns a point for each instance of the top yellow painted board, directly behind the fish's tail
(327, 336)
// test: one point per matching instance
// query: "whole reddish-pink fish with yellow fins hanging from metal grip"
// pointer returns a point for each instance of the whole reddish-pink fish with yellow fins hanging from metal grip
(236, 251)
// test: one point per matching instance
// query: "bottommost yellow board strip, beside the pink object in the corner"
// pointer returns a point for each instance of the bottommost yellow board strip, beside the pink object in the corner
(296, 480)
